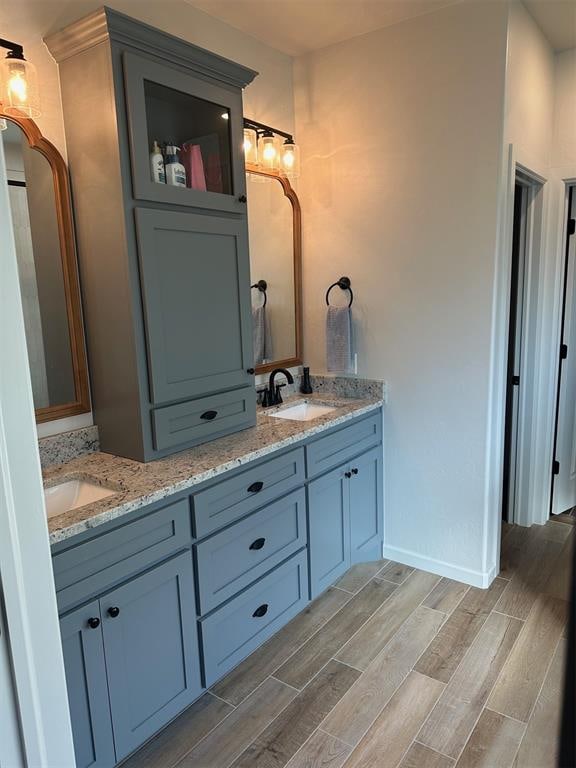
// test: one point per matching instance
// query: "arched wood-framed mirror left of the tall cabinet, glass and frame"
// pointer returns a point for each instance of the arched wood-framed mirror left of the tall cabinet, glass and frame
(41, 206)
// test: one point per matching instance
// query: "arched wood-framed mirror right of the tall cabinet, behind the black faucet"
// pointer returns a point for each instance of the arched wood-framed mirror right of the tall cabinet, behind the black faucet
(275, 230)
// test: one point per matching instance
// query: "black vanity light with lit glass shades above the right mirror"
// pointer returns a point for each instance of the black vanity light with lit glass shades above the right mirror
(271, 155)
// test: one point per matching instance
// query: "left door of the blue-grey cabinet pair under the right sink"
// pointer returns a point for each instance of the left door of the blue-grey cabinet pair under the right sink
(329, 529)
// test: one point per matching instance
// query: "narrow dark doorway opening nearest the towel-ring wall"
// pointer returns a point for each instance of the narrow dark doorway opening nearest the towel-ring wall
(515, 348)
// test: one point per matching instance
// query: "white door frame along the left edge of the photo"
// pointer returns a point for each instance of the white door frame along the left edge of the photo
(30, 612)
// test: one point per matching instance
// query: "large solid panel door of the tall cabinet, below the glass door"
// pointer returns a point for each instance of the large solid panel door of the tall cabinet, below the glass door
(196, 288)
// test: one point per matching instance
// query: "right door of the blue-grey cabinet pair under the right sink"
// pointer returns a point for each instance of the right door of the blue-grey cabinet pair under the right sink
(366, 506)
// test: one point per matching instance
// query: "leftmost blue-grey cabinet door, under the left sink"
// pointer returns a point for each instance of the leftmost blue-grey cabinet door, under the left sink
(87, 691)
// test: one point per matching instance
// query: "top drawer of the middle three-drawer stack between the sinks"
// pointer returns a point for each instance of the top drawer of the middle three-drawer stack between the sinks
(231, 499)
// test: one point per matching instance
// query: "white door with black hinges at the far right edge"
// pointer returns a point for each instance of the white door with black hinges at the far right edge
(563, 499)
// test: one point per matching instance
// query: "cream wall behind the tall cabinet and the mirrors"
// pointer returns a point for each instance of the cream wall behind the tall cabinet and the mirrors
(268, 99)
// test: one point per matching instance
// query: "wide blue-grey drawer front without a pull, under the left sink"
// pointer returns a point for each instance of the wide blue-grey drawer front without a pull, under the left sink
(91, 567)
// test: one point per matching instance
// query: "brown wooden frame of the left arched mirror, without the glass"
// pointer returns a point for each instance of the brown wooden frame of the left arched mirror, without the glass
(65, 223)
